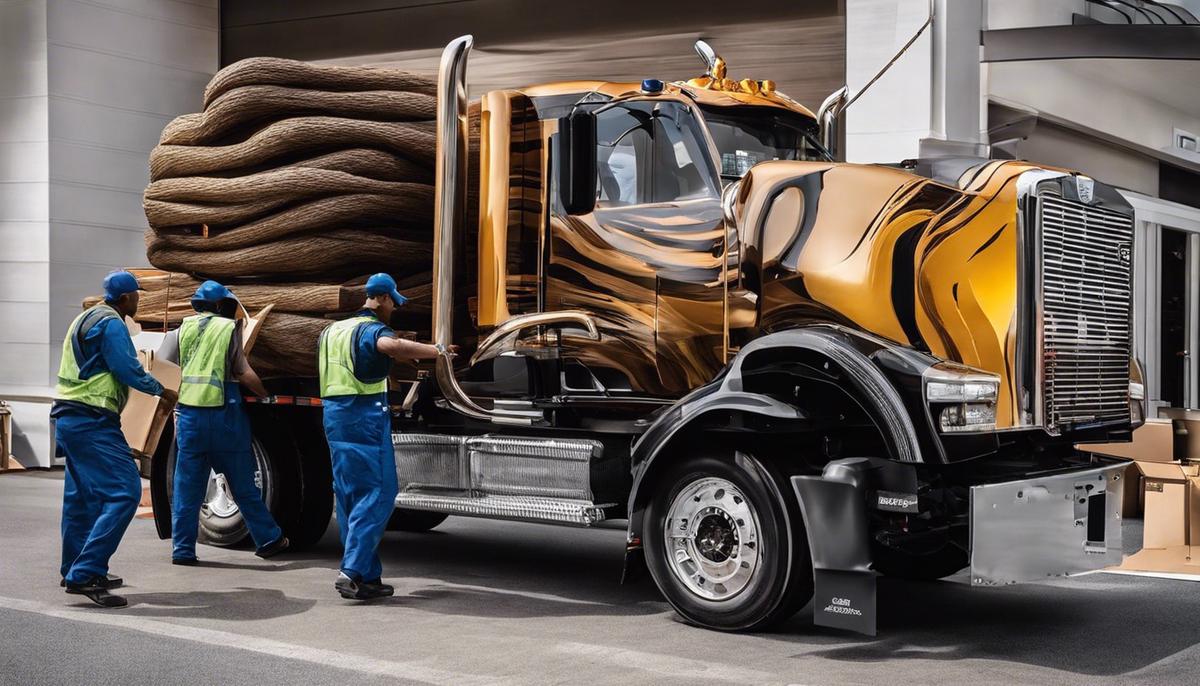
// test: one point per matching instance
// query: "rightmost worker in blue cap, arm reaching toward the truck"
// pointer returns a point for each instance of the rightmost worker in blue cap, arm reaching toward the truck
(355, 362)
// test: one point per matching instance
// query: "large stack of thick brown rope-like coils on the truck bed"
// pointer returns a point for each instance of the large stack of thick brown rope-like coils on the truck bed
(295, 184)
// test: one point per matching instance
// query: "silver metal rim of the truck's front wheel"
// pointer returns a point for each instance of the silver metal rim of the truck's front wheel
(712, 539)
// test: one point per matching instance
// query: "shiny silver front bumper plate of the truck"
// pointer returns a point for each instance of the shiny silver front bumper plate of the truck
(1045, 527)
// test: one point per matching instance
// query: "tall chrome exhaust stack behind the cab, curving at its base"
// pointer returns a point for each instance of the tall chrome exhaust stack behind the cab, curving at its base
(449, 210)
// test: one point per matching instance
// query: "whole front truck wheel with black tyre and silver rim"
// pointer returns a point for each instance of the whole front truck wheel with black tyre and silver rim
(725, 547)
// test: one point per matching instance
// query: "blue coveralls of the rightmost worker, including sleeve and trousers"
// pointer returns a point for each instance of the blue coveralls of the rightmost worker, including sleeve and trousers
(359, 434)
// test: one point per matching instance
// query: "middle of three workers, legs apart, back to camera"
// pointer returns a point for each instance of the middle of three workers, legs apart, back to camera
(212, 428)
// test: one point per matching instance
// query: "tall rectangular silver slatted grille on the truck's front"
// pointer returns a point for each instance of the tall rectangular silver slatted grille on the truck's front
(1087, 300)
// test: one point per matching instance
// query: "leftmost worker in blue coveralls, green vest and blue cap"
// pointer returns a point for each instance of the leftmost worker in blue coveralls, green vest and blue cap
(103, 489)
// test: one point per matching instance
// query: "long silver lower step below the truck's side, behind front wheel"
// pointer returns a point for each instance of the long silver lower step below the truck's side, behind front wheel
(523, 508)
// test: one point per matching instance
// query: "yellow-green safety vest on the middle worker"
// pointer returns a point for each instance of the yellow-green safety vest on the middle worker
(203, 350)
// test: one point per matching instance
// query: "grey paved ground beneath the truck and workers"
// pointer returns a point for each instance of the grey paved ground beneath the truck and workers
(487, 603)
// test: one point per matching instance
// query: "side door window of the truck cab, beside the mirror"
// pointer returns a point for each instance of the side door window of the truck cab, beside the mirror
(650, 152)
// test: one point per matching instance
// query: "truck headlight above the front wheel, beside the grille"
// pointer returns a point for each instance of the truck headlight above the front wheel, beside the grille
(963, 399)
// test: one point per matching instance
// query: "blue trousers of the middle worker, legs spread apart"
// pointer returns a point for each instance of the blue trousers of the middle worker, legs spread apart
(217, 440)
